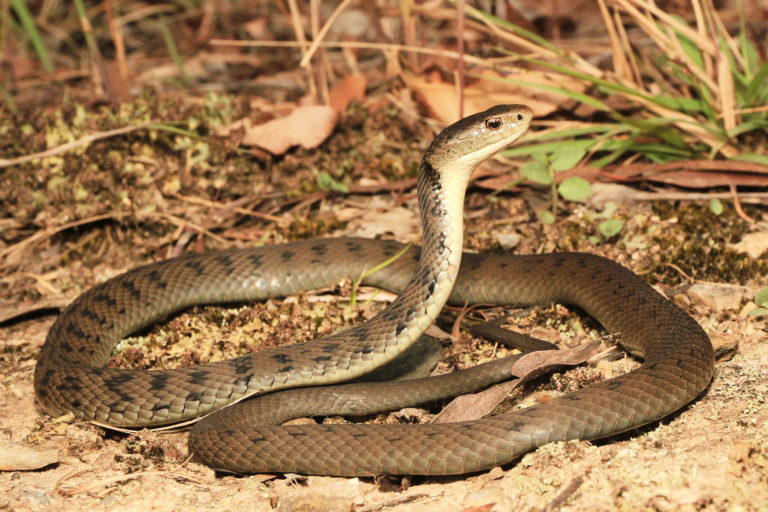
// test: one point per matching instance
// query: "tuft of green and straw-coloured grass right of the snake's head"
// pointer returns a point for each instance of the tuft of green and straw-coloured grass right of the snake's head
(699, 91)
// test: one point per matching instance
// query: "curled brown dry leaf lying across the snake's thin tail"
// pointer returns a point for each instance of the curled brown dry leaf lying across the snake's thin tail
(476, 405)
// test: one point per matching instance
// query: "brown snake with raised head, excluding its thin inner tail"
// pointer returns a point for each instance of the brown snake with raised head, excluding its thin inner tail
(70, 374)
